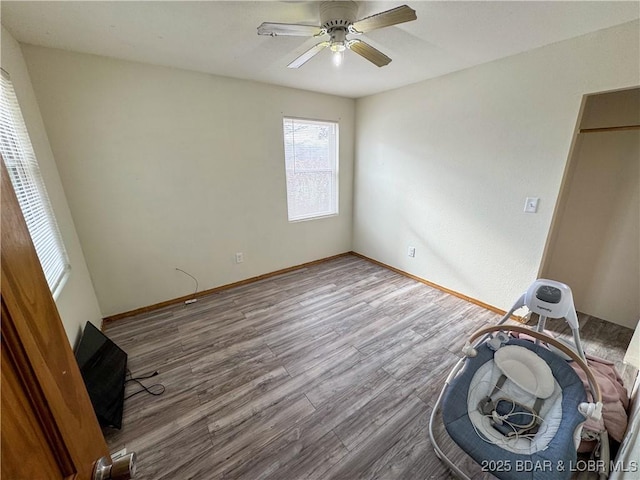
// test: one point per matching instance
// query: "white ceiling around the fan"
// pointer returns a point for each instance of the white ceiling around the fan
(220, 37)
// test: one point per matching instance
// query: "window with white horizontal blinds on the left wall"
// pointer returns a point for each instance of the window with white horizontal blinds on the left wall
(21, 163)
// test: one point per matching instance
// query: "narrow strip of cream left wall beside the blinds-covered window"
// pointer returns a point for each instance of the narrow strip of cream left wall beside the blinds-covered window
(77, 301)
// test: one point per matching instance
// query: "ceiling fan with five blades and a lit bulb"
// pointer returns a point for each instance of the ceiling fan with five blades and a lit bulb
(338, 19)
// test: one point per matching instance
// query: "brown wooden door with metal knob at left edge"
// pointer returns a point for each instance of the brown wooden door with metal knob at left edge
(49, 429)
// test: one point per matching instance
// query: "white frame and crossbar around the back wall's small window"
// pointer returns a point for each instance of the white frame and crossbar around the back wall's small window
(333, 173)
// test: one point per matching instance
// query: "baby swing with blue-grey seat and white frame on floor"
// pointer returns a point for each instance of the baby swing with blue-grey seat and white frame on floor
(517, 404)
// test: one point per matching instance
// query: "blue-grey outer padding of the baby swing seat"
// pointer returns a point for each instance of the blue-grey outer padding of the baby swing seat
(551, 463)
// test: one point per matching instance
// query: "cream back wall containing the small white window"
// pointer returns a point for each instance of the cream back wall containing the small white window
(167, 168)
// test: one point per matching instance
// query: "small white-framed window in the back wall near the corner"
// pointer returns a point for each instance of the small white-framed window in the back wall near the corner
(311, 163)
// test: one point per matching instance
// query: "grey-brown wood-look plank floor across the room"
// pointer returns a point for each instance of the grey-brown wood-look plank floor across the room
(327, 372)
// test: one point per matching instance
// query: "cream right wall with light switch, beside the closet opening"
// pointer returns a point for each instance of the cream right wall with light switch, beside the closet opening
(446, 164)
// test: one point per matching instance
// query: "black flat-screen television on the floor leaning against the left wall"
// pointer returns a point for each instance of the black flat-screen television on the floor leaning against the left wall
(103, 366)
